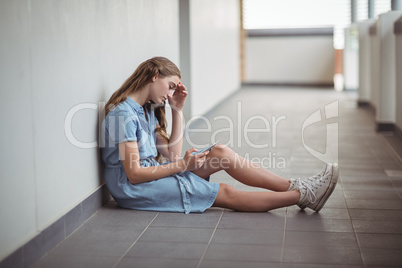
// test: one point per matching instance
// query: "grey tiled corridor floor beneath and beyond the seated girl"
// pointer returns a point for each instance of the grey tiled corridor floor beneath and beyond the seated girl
(360, 226)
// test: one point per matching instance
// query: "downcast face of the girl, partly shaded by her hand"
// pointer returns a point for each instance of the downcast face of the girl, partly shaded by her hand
(162, 87)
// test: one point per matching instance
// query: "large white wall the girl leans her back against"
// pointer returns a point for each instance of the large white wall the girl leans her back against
(55, 55)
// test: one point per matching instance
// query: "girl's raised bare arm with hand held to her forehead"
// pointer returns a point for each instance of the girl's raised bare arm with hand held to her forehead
(172, 149)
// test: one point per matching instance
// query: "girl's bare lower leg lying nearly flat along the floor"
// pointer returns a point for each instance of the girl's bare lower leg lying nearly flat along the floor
(229, 197)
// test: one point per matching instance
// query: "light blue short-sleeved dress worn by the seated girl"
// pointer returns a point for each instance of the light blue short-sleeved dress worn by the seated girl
(181, 192)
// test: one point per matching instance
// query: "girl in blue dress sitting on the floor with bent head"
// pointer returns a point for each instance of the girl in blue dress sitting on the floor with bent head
(135, 136)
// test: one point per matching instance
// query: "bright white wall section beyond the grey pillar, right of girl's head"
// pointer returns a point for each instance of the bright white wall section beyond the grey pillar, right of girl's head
(215, 55)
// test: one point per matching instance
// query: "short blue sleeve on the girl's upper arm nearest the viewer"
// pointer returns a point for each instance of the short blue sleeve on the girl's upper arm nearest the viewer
(122, 127)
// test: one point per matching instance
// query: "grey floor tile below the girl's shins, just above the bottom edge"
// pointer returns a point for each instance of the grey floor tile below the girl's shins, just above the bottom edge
(234, 252)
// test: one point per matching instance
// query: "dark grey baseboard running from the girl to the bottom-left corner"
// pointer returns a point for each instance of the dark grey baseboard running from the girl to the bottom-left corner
(46, 240)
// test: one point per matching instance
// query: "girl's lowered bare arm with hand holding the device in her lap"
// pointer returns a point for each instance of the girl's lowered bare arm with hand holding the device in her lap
(137, 174)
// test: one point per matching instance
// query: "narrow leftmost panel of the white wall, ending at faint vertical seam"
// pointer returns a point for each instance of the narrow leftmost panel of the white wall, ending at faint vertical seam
(18, 219)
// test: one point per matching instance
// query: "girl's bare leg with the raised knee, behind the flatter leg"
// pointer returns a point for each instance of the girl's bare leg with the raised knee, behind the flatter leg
(243, 170)
